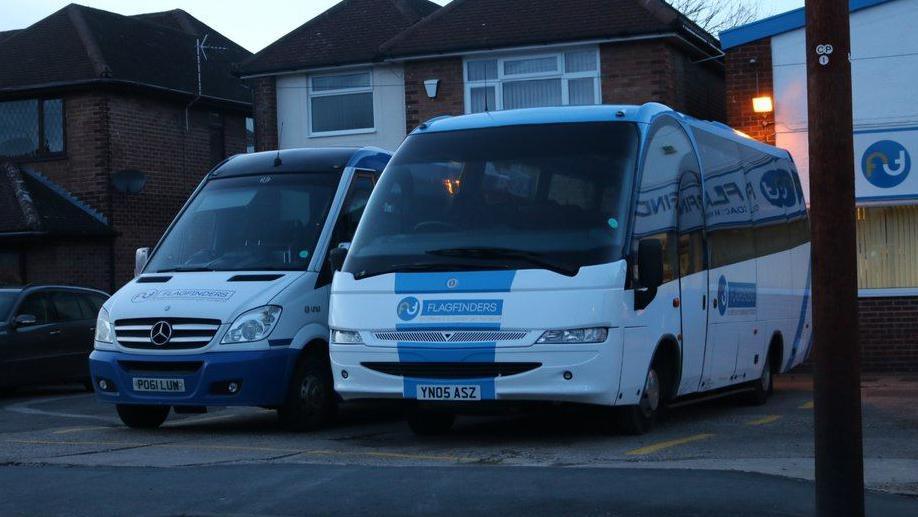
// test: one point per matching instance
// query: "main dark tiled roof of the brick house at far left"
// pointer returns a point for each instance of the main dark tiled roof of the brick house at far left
(78, 45)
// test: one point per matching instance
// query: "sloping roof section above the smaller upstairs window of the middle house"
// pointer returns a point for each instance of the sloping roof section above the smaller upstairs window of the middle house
(349, 32)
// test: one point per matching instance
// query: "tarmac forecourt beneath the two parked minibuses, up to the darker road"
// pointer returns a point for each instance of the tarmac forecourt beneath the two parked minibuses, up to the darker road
(64, 426)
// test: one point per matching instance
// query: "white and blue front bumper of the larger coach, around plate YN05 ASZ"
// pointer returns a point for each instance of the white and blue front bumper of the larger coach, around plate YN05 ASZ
(594, 374)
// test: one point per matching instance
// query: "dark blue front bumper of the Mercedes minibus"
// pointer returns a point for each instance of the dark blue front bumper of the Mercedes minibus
(263, 377)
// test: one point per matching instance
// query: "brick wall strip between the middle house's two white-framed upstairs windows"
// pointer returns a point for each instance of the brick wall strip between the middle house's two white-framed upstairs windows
(450, 98)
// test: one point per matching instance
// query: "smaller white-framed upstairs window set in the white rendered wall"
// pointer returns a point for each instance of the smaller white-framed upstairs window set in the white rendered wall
(341, 104)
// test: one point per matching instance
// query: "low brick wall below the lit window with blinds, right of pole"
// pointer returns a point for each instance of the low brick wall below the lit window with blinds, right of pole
(888, 330)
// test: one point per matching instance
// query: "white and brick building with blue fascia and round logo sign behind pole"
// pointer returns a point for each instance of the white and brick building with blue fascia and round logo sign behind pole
(767, 59)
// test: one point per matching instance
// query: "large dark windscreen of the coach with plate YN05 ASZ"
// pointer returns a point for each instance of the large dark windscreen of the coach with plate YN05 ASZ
(548, 196)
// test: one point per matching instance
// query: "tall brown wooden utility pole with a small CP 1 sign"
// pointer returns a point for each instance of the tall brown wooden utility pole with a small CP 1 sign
(837, 389)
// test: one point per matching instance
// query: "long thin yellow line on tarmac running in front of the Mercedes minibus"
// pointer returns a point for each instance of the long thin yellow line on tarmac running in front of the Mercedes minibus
(248, 448)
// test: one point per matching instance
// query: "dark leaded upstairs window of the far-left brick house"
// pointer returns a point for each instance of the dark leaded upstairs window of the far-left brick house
(32, 128)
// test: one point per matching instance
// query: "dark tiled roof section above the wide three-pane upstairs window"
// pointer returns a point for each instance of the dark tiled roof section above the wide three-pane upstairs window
(487, 24)
